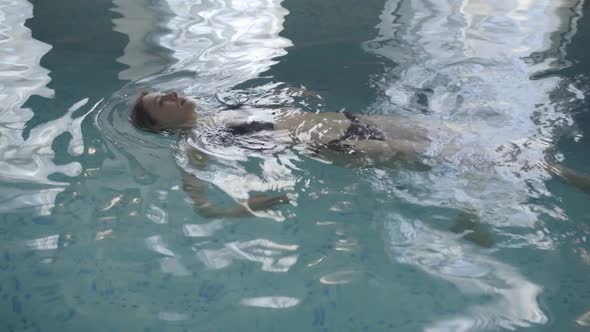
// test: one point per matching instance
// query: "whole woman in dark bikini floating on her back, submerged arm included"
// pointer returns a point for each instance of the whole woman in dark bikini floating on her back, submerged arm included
(343, 138)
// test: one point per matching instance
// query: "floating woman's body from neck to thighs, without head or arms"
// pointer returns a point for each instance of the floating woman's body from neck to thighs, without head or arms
(288, 126)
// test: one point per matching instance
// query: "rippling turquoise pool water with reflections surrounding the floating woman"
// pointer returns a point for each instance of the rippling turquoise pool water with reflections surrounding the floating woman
(97, 234)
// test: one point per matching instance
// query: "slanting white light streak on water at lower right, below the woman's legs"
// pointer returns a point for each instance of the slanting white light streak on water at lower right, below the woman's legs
(512, 299)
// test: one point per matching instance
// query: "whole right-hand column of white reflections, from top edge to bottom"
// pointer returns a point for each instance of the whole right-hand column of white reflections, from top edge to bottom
(470, 62)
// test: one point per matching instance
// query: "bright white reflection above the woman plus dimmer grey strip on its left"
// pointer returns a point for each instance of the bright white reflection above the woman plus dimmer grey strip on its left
(238, 38)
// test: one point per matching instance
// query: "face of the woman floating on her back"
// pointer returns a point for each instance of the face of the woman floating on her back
(170, 110)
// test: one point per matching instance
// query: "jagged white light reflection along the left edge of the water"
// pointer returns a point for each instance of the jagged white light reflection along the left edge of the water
(26, 164)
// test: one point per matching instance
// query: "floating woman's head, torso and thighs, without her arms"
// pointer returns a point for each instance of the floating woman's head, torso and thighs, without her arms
(378, 139)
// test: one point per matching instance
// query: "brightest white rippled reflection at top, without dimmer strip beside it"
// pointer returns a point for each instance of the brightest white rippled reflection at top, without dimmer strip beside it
(230, 40)
